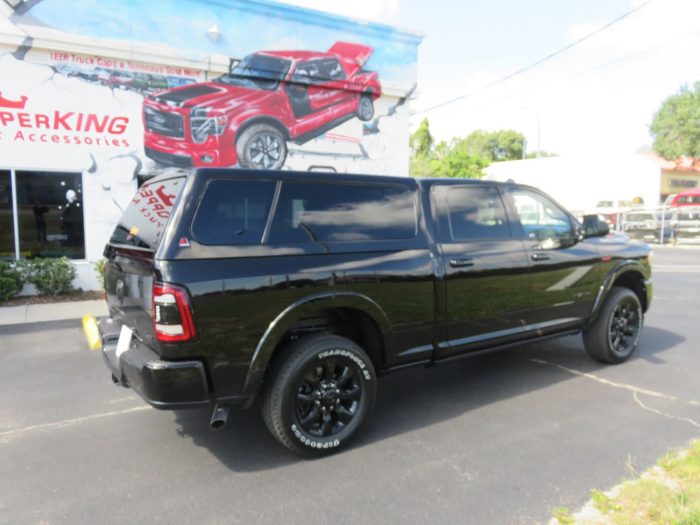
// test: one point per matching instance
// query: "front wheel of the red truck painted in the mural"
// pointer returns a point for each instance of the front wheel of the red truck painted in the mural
(261, 146)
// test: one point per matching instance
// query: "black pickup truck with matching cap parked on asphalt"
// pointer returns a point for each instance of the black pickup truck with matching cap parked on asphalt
(304, 287)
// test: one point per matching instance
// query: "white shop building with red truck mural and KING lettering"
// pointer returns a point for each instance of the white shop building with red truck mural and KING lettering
(96, 96)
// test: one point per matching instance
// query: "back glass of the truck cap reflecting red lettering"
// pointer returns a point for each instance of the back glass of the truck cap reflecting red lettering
(143, 222)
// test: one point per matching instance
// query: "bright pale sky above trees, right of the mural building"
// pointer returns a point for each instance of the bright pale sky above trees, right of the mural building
(600, 96)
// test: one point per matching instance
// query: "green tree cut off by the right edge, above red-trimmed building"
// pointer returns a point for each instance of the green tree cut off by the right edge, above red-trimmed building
(676, 125)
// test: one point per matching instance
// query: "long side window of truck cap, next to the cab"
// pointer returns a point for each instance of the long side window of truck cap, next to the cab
(310, 212)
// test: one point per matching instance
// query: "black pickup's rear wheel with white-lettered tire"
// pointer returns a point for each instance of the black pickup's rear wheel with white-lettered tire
(319, 395)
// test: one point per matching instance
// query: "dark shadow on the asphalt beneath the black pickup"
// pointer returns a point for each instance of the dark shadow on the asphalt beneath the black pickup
(418, 398)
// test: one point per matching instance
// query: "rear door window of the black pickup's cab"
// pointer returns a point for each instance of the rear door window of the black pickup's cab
(476, 213)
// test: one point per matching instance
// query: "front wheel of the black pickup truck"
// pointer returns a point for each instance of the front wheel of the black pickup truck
(614, 335)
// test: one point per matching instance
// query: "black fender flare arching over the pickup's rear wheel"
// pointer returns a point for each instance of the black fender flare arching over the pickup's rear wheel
(303, 308)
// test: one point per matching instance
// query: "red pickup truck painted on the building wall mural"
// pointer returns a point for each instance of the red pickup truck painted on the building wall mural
(246, 117)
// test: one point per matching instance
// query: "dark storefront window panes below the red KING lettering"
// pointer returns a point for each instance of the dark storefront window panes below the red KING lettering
(46, 209)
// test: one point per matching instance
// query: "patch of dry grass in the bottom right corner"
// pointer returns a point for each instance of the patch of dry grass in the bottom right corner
(668, 493)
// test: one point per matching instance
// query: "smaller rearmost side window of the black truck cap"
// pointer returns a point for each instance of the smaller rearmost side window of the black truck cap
(233, 212)
